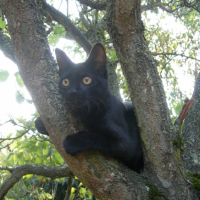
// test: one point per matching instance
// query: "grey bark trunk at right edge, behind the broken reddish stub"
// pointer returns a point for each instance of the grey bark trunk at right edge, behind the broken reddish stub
(191, 133)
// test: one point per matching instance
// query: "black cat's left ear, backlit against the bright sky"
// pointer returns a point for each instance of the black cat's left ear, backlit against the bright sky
(63, 61)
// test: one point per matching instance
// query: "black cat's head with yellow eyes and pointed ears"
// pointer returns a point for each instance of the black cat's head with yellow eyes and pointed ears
(83, 83)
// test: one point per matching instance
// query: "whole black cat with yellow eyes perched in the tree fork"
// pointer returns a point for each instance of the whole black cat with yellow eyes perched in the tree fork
(111, 125)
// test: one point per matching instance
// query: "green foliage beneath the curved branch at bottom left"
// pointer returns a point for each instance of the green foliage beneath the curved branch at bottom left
(36, 187)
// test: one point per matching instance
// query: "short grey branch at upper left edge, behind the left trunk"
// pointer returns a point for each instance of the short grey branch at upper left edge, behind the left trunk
(6, 46)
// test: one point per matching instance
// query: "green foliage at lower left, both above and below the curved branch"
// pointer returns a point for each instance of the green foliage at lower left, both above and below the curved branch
(36, 149)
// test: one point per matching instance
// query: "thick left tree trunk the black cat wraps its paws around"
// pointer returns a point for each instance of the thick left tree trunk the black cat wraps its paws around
(106, 178)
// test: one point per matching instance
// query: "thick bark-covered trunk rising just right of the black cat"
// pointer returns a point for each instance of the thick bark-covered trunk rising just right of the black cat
(126, 30)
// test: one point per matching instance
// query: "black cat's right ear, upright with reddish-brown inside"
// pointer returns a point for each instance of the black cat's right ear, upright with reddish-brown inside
(97, 56)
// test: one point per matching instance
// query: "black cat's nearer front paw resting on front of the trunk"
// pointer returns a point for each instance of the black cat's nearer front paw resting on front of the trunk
(72, 144)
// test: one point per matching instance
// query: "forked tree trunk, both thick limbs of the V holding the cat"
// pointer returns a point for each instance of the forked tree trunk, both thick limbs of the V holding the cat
(105, 177)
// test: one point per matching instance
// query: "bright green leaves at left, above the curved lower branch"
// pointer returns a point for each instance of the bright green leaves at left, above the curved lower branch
(29, 148)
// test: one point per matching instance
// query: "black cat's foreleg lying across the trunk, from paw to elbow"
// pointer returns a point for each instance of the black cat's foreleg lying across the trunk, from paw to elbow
(106, 142)
